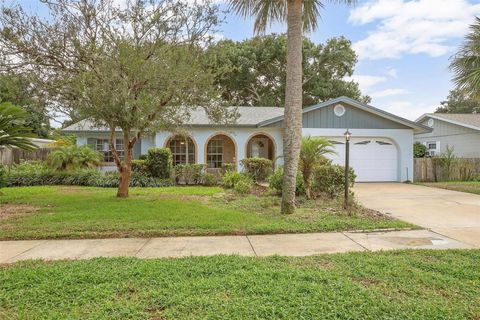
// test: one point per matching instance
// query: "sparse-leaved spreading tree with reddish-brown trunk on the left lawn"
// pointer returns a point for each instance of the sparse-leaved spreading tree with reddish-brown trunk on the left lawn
(136, 68)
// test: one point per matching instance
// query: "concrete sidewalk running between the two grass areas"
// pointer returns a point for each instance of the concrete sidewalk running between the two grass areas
(254, 245)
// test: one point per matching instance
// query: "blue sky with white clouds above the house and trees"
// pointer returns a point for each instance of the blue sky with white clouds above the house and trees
(404, 47)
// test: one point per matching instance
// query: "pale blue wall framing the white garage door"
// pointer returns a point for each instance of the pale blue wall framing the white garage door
(403, 139)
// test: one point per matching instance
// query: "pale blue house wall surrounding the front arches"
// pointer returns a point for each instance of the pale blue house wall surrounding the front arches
(240, 136)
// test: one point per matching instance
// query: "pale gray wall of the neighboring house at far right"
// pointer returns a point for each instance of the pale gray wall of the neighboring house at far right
(466, 141)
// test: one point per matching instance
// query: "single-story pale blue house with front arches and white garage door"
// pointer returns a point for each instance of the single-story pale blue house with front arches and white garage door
(381, 144)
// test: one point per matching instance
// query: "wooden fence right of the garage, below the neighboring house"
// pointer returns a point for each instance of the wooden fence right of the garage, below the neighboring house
(432, 169)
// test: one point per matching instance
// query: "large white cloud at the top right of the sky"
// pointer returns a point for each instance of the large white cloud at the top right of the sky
(421, 26)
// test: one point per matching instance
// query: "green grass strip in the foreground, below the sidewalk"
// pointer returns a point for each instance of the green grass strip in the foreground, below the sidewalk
(382, 285)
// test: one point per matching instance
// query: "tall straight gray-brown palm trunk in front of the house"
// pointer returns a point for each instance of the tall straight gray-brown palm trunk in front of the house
(292, 124)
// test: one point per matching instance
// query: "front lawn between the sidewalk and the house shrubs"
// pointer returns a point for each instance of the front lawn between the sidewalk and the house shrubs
(85, 212)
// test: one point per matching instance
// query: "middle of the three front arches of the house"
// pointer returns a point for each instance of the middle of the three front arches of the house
(219, 150)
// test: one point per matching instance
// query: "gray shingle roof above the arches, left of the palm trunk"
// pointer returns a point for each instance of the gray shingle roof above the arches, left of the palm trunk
(248, 116)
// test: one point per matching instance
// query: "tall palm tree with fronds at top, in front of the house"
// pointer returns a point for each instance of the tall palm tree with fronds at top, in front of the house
(300, 15)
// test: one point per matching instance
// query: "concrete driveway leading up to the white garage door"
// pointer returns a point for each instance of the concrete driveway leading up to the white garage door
(450, 213)
